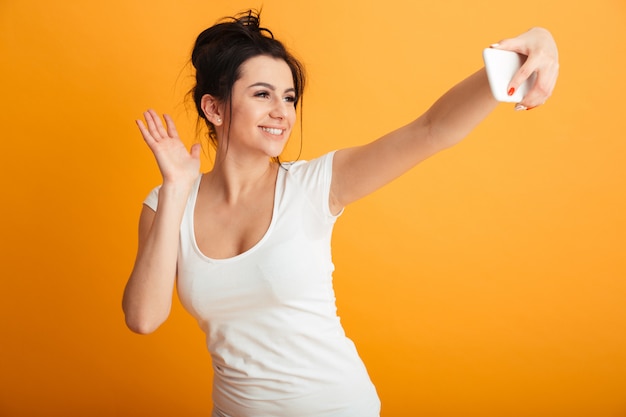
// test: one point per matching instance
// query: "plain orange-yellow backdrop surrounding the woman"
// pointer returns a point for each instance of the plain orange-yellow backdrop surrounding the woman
(489, 281)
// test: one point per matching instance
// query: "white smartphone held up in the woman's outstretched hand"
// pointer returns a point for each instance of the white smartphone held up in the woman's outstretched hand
(501, 66)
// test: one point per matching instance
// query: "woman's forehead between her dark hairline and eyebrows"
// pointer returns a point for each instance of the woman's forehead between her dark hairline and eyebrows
(266, 69)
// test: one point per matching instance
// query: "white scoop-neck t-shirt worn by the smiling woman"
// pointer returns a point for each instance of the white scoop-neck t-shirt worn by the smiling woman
(269, 314)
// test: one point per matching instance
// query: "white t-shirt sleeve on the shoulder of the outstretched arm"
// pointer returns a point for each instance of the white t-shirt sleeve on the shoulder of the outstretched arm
(315, 178)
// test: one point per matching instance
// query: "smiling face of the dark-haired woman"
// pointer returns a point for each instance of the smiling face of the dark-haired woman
(263, 110)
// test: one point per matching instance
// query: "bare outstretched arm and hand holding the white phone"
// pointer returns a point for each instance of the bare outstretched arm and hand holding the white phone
(360, 170)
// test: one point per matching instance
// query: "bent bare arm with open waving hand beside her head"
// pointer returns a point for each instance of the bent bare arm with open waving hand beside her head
(148, 294)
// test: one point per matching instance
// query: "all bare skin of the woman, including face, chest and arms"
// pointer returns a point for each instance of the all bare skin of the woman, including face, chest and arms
(235, 199)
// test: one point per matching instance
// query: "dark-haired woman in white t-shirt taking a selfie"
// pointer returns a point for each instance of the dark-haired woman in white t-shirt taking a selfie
(248, 243)
